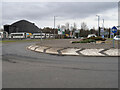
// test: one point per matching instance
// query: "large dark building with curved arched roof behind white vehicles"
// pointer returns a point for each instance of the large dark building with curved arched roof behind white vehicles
(21, 26)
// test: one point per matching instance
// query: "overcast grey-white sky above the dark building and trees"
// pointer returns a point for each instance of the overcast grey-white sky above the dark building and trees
(41, 13)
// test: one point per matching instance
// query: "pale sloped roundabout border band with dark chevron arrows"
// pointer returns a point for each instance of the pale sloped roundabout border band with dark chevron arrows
(74, 51)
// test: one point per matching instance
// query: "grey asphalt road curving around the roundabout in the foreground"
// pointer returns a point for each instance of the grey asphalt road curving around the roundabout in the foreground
(27, 69)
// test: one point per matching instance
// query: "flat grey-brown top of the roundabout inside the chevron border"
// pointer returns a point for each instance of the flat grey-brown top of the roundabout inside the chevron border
(63, 43)
